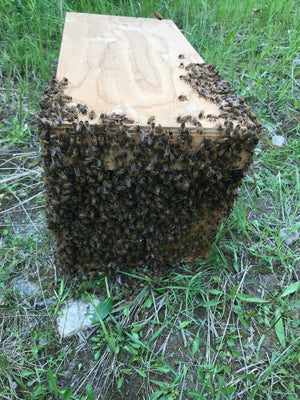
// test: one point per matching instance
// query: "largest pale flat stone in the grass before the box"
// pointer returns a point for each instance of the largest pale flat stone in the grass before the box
(74, 317)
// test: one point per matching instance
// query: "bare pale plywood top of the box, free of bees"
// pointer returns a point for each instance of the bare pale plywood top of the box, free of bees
(130, 65)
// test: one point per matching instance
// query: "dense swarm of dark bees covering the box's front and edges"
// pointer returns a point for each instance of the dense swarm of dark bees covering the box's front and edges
(119, 194)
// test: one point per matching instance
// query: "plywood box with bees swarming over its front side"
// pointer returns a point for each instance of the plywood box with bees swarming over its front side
(144, 145)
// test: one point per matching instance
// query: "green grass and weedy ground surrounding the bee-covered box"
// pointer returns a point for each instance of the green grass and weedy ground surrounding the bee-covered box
(231, 329)
